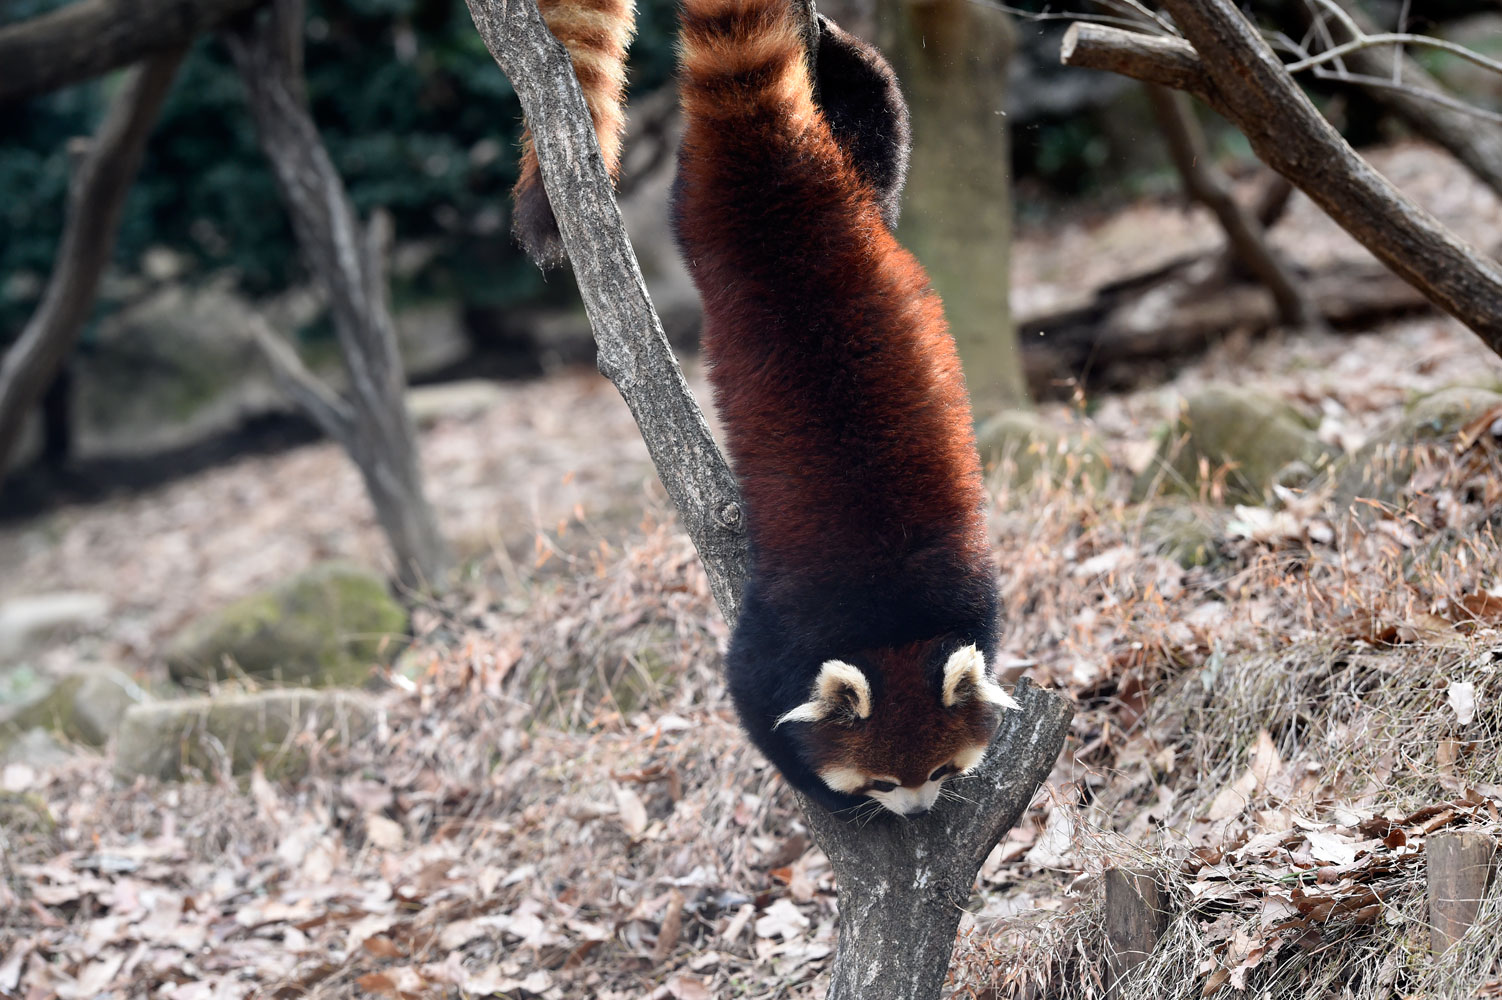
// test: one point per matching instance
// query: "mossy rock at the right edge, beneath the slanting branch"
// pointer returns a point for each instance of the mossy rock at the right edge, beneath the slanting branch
(1383, 468)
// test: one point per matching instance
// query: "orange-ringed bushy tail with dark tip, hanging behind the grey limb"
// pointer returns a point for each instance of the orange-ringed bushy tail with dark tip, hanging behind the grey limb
(596, 34)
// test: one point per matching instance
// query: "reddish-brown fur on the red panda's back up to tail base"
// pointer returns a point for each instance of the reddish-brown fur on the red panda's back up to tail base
(834, 370)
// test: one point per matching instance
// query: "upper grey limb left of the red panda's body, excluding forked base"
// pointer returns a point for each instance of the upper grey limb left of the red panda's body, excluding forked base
(633, 351)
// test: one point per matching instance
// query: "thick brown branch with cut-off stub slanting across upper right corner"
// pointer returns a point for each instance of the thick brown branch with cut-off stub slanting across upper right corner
(1229, 65)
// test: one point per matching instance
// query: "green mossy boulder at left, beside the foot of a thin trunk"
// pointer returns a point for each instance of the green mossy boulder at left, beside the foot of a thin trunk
(325, 628)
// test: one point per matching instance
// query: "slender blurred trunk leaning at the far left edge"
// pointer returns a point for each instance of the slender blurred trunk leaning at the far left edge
(95, 200)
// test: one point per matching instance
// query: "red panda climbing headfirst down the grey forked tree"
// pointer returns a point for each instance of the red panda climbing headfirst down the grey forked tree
(860, 660)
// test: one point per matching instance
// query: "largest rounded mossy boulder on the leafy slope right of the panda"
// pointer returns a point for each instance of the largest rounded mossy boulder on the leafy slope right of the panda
(1250, 439)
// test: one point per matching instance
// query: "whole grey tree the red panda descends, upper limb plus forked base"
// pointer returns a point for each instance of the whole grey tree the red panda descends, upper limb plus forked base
(900, 882)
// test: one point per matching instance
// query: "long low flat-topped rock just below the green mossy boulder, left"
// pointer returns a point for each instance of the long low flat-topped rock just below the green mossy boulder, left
(211, 735)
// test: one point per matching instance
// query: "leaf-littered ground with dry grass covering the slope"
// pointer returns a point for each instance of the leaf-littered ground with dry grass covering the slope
(558, 801)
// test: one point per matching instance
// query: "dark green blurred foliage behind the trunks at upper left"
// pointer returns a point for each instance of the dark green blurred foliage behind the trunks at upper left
(412, 109)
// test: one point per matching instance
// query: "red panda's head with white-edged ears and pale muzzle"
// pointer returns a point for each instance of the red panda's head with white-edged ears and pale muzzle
(900, 727)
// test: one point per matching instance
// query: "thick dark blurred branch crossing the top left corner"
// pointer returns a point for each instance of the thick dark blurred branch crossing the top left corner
(88, 38)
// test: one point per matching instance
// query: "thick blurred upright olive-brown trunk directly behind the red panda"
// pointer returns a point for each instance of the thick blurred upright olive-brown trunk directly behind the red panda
(953, 58)
